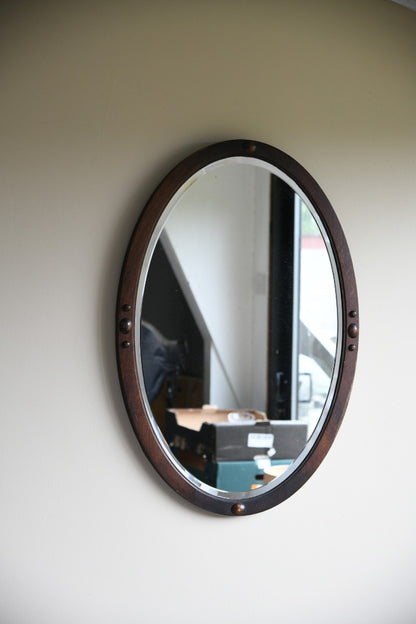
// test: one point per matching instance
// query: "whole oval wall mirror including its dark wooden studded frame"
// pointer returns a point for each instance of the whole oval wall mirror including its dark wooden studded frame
(237, 327)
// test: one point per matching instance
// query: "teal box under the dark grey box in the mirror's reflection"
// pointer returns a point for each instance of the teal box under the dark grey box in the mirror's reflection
(240, 476)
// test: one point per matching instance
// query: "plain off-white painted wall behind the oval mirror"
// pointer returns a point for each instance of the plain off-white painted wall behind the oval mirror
(98, 101)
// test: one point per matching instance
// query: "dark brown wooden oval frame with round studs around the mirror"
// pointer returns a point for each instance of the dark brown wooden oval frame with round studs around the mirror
(134, 394)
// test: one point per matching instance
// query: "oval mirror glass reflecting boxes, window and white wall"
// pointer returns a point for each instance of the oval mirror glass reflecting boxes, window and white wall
(238, 326)
